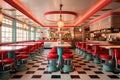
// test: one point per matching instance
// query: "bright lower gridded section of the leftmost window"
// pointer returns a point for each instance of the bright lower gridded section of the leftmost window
(6, 33)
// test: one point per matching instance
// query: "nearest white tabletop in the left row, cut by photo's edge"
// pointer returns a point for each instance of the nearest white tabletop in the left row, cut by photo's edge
(11, 48)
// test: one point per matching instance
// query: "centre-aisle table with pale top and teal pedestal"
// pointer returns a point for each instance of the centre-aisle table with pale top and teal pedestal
(60, 50)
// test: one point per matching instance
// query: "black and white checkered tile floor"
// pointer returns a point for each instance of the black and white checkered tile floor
(84, 70)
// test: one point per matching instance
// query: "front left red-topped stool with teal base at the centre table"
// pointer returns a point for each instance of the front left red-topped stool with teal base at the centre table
(52, 62)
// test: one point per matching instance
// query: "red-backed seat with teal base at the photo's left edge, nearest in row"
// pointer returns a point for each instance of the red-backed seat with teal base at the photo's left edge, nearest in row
(5, 65)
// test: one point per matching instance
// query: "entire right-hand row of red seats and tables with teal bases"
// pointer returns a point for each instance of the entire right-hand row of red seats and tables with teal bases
(106, 54)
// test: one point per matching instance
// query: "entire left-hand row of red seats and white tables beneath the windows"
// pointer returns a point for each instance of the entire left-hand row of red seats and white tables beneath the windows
(15, 56)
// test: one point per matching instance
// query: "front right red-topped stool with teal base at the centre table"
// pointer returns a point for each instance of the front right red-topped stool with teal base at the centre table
(67, 66)
